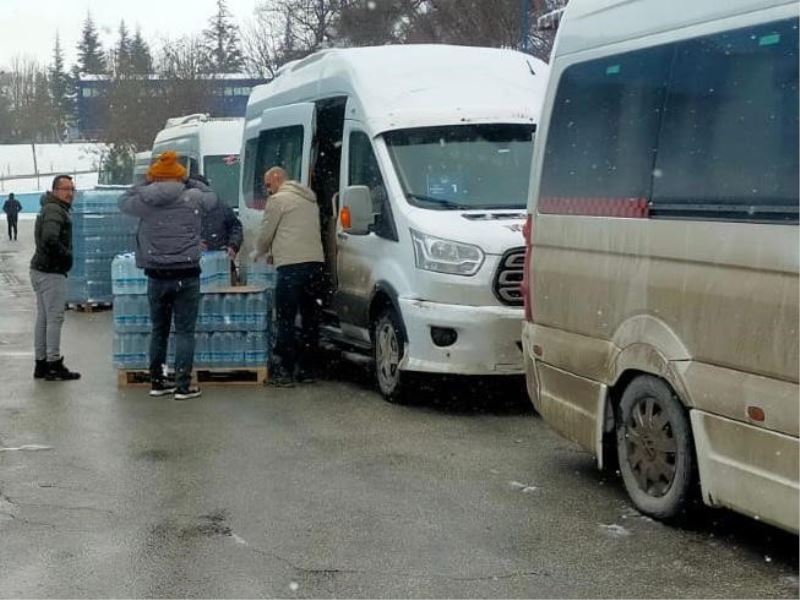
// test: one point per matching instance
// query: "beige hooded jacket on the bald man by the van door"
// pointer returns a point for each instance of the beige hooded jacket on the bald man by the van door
(290, 227)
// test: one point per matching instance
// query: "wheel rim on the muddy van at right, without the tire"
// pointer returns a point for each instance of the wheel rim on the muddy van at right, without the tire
(651, 447)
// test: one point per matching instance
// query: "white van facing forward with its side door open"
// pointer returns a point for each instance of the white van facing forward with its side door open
(418, 156)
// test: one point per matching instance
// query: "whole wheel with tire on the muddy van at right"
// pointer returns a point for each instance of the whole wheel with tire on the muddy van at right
(655, 448)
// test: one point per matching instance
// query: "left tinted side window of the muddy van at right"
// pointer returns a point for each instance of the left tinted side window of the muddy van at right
(602, 135)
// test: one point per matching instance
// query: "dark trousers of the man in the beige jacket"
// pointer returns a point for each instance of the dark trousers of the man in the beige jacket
(300, 288)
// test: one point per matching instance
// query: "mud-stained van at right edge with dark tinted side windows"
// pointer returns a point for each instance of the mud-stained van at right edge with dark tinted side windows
(662, 250)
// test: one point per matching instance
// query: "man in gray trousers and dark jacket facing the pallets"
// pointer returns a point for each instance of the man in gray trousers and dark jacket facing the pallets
(49, 267)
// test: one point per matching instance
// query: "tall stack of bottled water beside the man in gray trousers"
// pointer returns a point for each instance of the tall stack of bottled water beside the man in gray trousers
(99, 233)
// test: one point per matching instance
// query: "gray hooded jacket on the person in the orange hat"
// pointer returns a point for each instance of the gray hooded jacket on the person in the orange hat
(168, 238)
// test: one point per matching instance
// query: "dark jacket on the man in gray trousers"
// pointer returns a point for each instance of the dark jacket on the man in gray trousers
(53, 236)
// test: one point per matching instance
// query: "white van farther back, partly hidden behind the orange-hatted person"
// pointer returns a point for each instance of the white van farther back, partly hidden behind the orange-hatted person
(209, 147)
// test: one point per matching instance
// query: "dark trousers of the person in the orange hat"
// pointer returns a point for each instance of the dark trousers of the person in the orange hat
(178, 299)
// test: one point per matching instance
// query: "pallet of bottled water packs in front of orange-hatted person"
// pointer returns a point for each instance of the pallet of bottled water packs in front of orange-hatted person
(233, 324)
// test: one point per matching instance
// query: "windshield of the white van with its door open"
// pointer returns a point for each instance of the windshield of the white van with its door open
(463, 166)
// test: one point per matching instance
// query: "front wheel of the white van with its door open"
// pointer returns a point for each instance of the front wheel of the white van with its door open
(388, 348)
